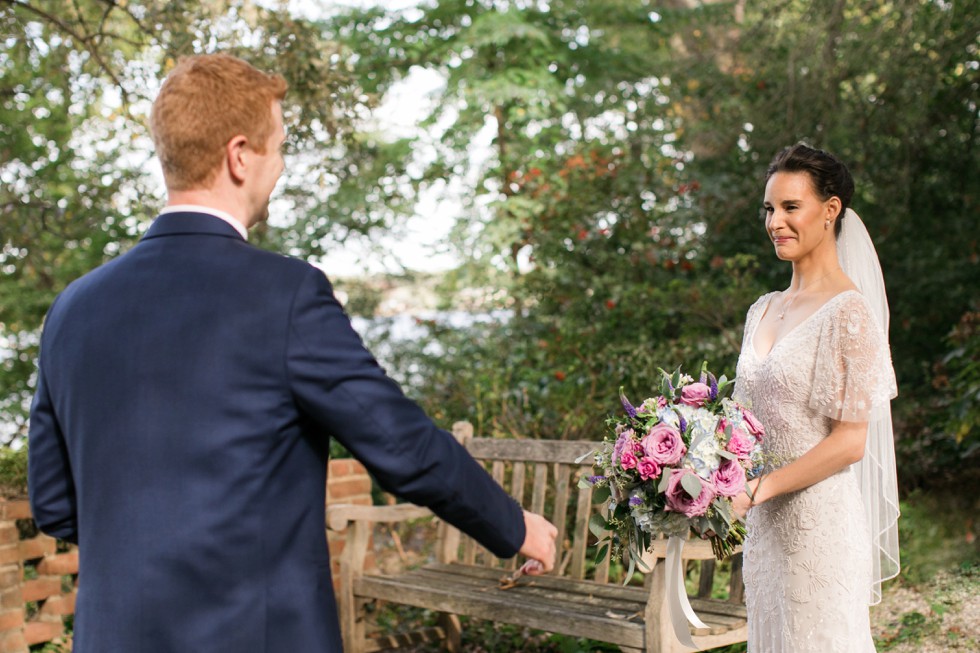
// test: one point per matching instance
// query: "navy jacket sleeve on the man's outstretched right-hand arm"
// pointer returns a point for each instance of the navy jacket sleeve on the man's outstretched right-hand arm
(340, 385)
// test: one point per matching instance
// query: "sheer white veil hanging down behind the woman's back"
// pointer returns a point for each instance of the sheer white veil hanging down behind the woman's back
(876, 471)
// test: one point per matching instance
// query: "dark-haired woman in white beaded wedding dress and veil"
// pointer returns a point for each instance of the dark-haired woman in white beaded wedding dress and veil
(815, 368)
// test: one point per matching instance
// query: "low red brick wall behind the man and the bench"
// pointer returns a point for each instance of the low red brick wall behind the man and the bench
(39, 576)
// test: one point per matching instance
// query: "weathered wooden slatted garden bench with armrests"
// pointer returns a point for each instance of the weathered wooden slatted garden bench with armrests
(576, 599)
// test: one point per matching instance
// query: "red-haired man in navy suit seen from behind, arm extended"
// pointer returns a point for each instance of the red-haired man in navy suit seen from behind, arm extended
(186, 395)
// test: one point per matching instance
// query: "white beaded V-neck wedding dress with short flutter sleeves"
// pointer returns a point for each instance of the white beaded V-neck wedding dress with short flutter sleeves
(808, 554)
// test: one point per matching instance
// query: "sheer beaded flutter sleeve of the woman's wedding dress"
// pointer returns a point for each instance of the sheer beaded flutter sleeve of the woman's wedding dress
(853, 373)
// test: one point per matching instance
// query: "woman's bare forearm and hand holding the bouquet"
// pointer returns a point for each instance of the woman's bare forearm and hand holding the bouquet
(842, 447)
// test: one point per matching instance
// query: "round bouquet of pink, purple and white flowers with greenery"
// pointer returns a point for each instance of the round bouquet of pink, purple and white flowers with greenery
(672, 465)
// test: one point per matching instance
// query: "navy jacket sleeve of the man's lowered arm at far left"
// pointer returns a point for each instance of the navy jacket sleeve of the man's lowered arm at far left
(49, 477)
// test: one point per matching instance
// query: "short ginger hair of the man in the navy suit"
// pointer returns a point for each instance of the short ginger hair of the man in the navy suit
(206, 101)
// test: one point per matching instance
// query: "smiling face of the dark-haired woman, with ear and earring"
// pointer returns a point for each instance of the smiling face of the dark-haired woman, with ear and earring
(796, 218)
